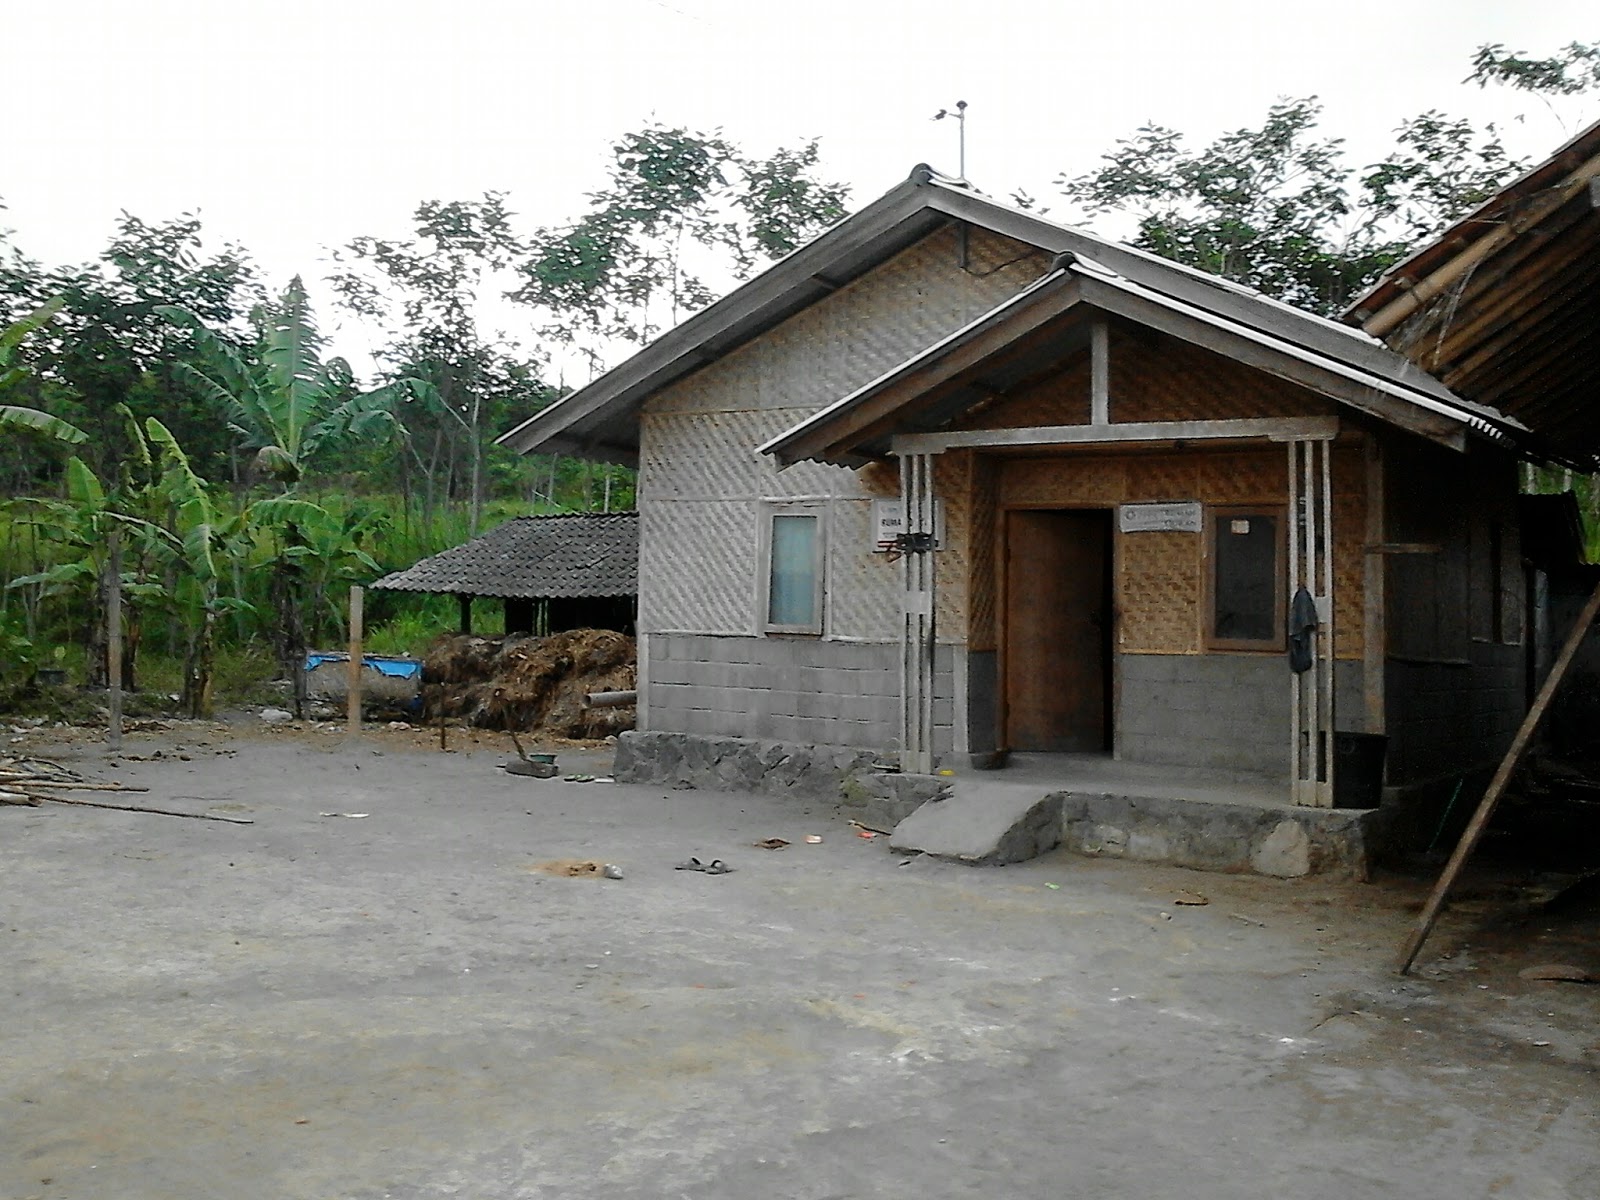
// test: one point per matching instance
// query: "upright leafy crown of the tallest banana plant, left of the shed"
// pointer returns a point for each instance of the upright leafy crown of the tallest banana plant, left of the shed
(279, 396)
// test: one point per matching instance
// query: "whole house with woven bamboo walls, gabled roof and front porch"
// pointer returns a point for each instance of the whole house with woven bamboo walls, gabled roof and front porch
(958, 481)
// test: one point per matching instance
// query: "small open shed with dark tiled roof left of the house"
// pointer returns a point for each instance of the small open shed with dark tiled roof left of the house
(551, 574)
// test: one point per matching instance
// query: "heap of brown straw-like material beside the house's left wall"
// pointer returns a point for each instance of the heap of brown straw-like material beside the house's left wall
(532, 684)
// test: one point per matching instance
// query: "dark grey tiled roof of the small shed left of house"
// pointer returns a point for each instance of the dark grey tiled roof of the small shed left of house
(582, 554)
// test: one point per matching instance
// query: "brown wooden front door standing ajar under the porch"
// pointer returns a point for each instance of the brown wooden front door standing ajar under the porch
(1058, 625)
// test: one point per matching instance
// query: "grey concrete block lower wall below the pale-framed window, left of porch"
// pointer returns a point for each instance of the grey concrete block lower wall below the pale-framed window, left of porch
(793, 690)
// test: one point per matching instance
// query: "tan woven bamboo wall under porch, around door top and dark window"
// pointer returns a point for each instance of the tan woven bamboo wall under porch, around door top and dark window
(1161, 577)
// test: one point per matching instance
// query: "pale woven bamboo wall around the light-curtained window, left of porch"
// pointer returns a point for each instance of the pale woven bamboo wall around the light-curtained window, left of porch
(702, 479)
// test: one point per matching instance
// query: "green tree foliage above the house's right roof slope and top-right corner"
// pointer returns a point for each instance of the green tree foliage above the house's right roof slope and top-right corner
(1278, 207)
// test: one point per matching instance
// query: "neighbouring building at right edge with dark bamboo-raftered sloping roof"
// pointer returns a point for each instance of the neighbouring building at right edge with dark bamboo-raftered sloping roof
(1505, 310)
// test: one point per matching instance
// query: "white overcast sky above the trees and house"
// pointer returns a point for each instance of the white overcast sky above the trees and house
(298, 124)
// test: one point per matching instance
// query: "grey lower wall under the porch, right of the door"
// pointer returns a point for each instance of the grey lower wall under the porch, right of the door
(1228, 713)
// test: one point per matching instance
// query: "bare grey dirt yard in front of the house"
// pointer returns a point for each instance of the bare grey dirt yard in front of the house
(374, 991)
